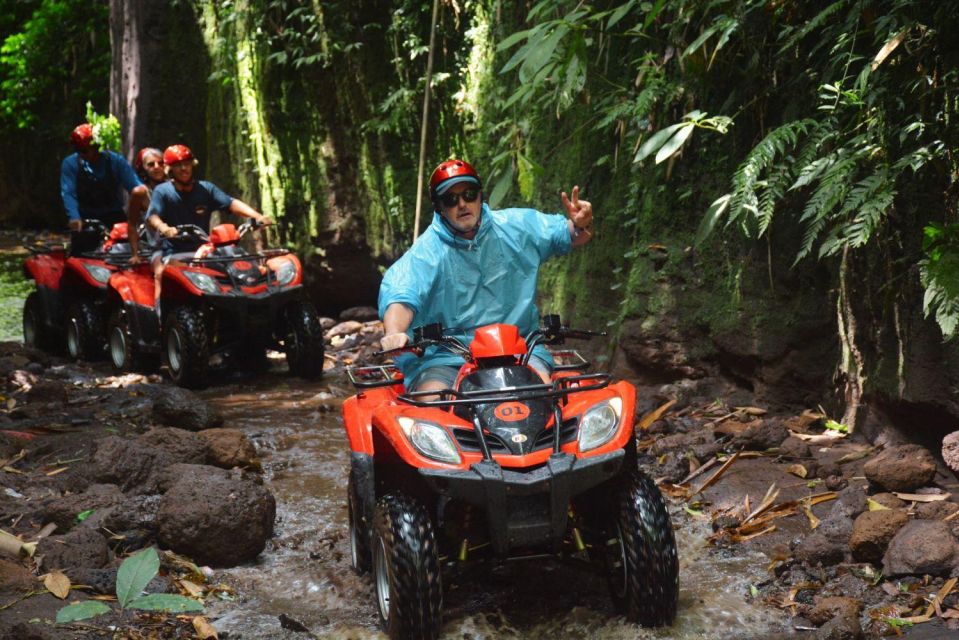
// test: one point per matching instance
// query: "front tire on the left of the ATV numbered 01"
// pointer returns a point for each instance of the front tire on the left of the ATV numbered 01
(406, 570)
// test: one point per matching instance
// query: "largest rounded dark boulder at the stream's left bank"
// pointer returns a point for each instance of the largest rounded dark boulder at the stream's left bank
(221, 522)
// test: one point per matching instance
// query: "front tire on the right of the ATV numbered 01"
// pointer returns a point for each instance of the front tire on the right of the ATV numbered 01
(639, 554)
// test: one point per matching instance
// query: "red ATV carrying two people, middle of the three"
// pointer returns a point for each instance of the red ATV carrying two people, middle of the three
(217, 301)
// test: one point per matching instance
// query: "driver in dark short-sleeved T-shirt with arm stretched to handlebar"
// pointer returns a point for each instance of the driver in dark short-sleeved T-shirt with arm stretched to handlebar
(184, 200)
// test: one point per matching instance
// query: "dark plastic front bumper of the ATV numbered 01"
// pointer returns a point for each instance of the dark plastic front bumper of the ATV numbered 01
(526, 509)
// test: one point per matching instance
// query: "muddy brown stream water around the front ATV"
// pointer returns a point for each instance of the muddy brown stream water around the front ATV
(305, 574)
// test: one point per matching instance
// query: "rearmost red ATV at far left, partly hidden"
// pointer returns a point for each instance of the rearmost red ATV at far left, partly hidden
(68, 304)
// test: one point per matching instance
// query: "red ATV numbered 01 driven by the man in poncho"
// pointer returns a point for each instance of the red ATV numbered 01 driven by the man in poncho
(502, 466)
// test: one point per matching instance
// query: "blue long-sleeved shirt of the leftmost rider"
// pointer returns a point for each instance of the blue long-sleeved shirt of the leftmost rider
(108, 166)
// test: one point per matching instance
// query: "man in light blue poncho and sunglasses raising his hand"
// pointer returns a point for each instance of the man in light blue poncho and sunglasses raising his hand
(473, 266)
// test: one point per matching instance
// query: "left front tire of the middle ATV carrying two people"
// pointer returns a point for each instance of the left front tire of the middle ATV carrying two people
(186, 347)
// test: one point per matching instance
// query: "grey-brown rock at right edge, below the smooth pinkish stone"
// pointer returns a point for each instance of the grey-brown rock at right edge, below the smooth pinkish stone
(922, 547)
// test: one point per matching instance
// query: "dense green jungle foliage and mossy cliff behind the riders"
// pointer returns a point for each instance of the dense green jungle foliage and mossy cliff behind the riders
(775, 183)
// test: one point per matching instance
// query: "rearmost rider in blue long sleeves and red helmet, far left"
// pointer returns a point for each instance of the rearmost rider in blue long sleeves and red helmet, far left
(90, 186)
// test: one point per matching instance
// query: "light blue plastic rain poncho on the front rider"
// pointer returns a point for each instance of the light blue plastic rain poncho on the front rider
(464, 284)
